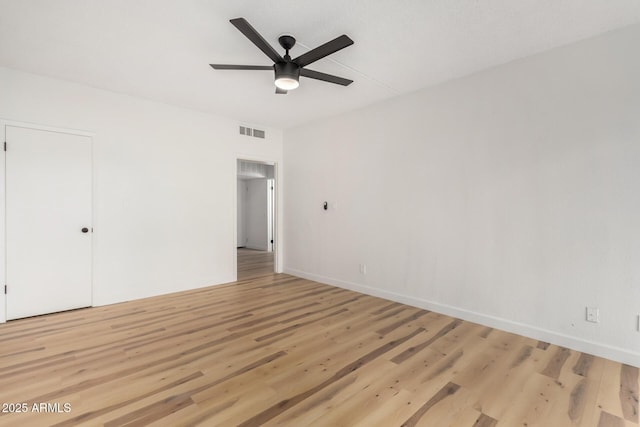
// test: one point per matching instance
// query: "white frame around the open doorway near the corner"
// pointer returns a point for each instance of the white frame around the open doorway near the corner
(277, 209)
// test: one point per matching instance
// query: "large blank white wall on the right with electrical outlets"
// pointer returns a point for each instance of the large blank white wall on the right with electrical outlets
(510, 197)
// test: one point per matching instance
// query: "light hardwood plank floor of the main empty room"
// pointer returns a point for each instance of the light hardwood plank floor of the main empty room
(278, 350)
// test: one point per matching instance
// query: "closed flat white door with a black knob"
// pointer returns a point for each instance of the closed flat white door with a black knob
(48, 221)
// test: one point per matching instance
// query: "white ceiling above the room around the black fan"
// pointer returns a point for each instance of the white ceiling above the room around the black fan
(160, 49)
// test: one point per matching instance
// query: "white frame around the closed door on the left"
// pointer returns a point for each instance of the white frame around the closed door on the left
(3, 197)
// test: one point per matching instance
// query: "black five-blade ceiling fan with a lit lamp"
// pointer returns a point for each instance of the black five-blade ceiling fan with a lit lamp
(287, 70)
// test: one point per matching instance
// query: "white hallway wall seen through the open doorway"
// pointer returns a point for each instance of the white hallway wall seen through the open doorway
(257, 214)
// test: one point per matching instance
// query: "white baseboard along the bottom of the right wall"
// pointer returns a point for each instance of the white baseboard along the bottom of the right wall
(598, 349)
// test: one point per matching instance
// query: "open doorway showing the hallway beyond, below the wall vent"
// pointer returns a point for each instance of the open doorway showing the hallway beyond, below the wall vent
(256, 218)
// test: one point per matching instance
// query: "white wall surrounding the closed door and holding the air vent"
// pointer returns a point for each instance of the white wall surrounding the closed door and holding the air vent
(164, 184)
